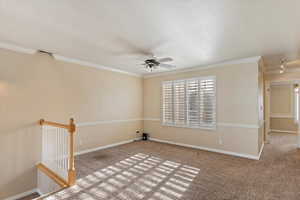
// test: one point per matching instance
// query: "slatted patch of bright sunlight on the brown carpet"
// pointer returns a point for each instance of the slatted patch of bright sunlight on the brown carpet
(136, 177)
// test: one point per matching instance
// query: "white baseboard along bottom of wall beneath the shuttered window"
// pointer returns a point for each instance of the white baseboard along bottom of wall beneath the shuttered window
(253, 157)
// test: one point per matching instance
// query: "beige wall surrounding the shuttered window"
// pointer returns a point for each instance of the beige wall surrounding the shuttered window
(237, 105)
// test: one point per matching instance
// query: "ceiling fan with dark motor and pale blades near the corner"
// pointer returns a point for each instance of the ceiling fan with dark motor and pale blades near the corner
(153, 63)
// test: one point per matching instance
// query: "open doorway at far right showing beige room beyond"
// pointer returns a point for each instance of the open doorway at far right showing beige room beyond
(283, 117)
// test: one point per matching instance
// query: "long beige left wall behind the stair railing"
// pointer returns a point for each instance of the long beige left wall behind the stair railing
(37, 86)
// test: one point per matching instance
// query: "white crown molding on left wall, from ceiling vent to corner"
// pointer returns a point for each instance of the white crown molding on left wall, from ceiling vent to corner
(89, 64)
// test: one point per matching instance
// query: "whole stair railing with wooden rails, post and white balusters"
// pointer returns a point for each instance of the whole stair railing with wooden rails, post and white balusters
(58, 152)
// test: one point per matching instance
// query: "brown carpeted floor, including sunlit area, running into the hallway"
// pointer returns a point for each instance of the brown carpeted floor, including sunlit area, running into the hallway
(155, 171)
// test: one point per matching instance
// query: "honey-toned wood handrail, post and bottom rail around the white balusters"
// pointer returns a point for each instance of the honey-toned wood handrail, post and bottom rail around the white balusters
(71, 127)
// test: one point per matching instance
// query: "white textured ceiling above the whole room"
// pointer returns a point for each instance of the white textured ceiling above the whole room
(193, 32)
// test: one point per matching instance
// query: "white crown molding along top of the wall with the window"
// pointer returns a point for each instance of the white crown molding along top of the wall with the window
(255, 59)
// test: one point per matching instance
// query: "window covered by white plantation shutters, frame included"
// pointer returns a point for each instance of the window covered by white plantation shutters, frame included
(189, 103)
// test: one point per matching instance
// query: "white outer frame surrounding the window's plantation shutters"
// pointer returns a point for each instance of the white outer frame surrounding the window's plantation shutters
(213, 127)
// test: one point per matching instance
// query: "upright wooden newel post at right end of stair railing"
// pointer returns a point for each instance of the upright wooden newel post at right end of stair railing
(71, 170)
